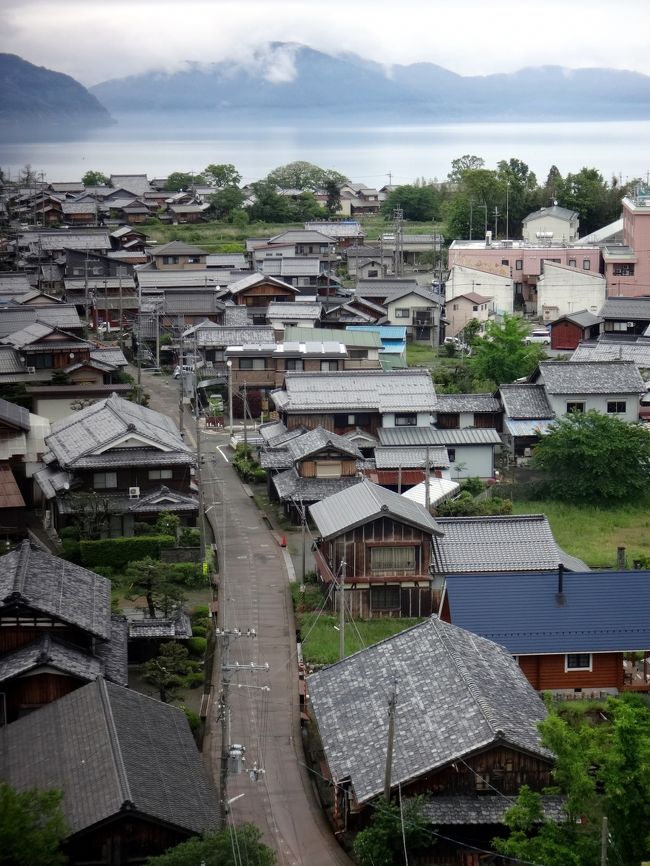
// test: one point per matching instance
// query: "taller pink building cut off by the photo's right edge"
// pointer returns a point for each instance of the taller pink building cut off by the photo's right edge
(627, 266)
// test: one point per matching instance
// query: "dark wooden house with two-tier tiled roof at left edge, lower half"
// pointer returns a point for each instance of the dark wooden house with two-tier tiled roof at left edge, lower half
(57, 632)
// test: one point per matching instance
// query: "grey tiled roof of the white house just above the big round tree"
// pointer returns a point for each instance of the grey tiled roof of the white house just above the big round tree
(591, 377)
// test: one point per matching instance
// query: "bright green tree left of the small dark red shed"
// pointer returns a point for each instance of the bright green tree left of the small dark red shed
(502, 356)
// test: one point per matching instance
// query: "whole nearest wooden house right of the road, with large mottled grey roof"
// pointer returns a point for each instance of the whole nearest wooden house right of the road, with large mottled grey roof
(465, 736)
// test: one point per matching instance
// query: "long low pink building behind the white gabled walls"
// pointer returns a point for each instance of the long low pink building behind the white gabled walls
(524, 262)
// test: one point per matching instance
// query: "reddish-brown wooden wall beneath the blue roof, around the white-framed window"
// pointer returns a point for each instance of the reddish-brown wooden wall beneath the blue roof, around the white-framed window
(547, 673)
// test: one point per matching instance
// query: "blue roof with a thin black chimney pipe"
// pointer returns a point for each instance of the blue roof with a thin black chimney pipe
(598, 611)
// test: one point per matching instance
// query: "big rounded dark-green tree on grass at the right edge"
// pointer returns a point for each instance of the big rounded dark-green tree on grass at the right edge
(589, 456)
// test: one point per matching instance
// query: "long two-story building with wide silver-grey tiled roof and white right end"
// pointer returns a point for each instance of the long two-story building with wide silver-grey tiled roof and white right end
(367, 399)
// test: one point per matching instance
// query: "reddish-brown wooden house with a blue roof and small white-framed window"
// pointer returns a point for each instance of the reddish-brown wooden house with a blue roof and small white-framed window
(569, 632)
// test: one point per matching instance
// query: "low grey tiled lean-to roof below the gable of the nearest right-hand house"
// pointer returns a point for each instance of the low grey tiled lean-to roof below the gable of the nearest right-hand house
(483, 808)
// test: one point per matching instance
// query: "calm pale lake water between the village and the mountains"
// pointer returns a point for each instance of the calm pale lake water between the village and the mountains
(363, 153)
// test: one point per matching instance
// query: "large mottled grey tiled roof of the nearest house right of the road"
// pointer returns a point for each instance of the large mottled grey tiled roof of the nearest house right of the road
(457, 694)
